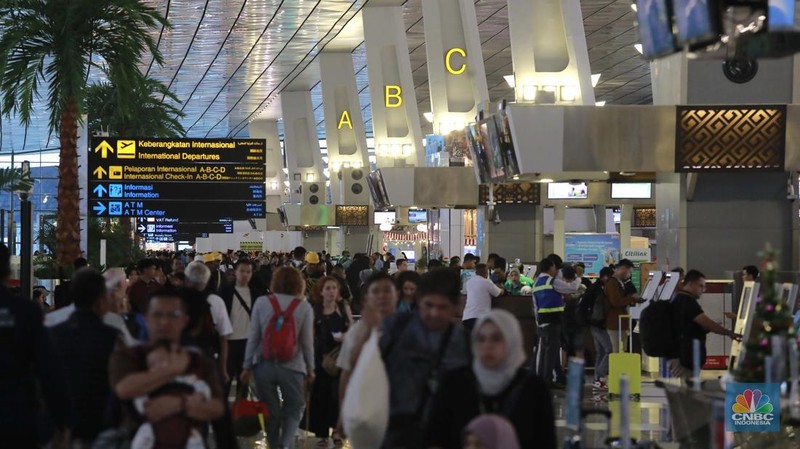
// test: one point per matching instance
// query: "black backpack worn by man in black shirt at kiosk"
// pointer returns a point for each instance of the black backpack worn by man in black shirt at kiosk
(657, 330)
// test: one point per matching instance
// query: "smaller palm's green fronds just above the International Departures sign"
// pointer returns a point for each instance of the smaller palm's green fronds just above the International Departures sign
(148, 115)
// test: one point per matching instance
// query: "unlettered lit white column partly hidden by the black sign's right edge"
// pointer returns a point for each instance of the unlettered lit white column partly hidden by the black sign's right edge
(275, 176)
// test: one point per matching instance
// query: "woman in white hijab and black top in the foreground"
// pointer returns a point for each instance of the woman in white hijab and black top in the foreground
(496, 383)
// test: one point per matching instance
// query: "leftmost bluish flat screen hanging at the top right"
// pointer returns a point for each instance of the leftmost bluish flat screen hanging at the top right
(654, 20)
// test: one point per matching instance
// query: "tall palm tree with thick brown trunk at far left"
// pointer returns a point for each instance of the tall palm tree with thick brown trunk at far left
(49, 46)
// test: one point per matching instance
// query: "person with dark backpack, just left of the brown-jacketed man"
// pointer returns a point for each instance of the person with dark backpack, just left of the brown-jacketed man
(591, 313)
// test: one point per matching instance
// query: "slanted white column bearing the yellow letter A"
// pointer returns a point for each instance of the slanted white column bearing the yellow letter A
(344, 124)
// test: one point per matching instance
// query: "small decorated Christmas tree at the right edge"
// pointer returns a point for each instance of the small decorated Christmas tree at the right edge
(772, 318)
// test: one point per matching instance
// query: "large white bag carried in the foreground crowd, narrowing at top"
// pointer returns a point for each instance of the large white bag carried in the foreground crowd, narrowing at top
(365, 412)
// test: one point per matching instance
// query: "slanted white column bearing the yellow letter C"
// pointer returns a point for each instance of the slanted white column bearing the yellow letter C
(456, 75)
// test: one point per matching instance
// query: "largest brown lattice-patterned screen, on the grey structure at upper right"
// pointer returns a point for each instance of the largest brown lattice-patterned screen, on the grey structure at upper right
(712, 138)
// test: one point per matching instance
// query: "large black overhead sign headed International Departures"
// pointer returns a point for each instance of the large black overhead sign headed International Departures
(185, 179)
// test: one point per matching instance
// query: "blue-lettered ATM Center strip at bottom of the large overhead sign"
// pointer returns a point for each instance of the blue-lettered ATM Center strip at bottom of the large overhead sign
(197, 210)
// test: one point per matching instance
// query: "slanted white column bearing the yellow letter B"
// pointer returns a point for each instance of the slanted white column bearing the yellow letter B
(395, 119)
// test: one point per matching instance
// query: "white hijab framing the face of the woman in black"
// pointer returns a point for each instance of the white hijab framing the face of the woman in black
(493, 381)
